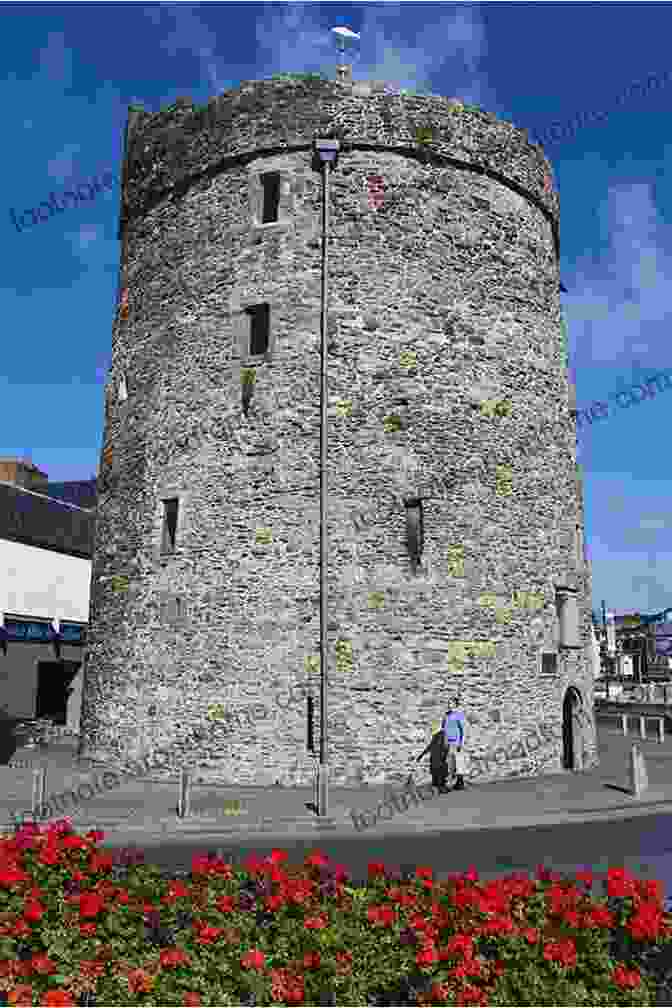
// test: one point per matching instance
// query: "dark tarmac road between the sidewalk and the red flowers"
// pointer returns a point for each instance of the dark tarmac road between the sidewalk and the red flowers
(642, 844)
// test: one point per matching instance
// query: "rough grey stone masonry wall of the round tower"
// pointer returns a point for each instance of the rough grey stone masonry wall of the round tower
(445, 297)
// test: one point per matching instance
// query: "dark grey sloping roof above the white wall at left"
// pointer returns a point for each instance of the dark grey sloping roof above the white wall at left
(40, 521)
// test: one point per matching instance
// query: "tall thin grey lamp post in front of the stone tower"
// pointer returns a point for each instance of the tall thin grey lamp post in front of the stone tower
(327, 153)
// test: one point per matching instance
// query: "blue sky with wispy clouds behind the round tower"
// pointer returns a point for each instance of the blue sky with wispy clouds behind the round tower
(72, 71)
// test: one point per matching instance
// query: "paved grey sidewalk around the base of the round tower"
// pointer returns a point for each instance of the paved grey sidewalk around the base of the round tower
(144, 808)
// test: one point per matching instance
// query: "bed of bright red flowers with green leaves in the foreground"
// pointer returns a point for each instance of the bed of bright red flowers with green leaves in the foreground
(79, 927)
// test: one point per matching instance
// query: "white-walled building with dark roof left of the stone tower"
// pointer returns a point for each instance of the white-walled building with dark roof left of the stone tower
(47, 533)
